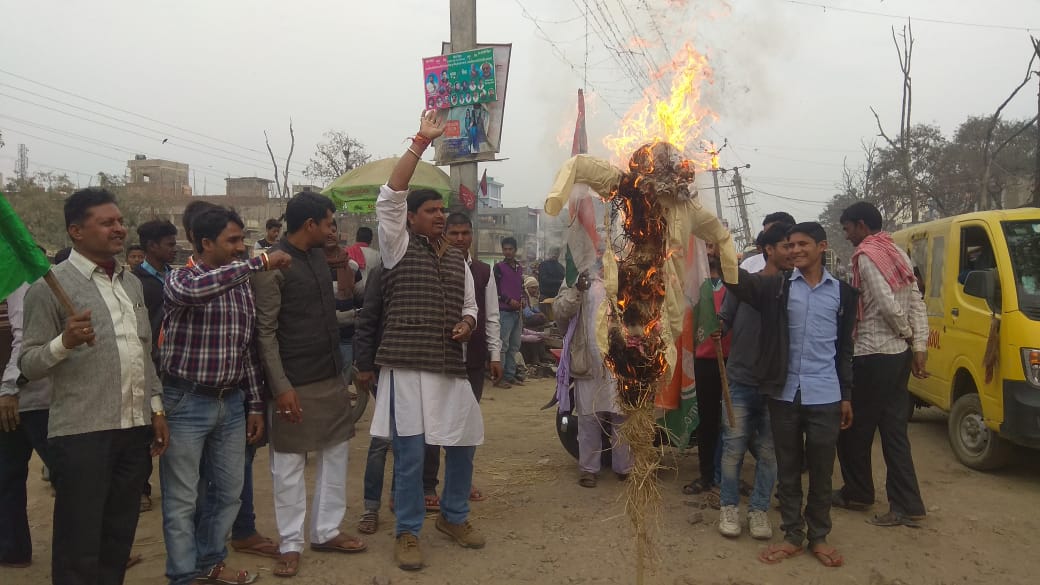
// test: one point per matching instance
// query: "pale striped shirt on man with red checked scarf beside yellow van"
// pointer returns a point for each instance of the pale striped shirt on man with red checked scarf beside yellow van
(893, 320)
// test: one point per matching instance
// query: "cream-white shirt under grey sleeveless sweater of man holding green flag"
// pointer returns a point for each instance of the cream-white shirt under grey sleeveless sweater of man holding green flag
(133, 357)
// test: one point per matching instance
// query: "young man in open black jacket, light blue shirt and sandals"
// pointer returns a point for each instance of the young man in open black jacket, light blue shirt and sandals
(805, 368)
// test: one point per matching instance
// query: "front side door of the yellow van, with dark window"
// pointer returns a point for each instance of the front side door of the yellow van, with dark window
(969, 318)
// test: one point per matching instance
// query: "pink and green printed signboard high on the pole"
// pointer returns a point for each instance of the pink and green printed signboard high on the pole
(460, 80)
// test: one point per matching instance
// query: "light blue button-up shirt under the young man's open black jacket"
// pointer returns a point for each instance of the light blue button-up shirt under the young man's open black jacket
(813, 324)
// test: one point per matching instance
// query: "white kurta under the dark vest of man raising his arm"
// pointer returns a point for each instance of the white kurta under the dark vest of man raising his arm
(441, 408)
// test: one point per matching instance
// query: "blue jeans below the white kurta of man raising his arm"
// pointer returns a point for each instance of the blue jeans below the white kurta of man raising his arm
(408, 500)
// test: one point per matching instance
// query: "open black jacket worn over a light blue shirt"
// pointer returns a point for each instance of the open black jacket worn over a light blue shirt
(770, 295)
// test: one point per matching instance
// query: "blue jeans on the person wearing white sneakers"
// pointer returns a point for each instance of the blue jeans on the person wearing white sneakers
(752, 417)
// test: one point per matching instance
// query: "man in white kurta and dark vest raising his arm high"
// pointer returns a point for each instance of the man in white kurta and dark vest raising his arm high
(430, 312)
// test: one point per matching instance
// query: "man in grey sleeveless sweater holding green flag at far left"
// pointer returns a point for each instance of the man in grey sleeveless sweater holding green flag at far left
(107, 404)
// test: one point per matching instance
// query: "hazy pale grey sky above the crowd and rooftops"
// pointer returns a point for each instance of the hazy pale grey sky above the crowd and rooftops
(793, 84)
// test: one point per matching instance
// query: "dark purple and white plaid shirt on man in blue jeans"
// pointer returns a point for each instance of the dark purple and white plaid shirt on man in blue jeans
(210, 328)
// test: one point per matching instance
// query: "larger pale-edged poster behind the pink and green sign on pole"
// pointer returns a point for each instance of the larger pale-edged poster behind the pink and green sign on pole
(474, 132)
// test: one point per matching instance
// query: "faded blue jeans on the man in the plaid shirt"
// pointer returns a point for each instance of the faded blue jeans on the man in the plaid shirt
(207, 444)
